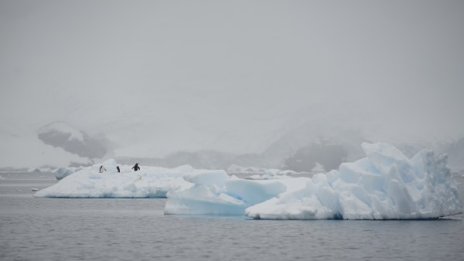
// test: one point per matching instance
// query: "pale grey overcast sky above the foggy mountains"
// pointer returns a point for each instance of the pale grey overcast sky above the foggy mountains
(161, 76)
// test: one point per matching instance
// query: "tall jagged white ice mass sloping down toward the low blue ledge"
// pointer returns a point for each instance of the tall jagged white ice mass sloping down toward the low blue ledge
(384, 185)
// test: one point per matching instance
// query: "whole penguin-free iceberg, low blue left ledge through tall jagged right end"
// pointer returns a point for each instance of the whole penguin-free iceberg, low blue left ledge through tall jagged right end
(383, 185)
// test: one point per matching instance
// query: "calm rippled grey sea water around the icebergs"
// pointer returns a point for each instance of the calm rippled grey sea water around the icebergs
(136, 229)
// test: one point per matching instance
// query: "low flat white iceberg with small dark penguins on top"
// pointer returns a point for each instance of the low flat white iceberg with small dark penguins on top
(149, 182)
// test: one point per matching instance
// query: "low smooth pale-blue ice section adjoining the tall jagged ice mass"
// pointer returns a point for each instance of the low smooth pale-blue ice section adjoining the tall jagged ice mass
(228, 196)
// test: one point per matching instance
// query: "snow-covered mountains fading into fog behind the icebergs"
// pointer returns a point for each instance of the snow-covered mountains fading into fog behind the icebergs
(305, 148)
